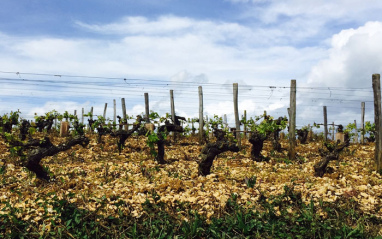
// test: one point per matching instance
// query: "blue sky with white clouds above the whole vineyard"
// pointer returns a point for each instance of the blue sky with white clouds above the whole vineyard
(69, 55)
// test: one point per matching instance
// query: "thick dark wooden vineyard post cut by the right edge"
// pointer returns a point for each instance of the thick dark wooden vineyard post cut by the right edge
(377, 121)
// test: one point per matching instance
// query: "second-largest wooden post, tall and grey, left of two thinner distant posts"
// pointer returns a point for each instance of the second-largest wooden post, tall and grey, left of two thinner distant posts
(292, 121)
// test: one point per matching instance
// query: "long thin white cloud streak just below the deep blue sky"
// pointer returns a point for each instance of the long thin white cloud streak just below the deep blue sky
(223, 33)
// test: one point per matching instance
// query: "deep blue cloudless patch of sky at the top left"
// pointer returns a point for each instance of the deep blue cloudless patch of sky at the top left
(31, 17)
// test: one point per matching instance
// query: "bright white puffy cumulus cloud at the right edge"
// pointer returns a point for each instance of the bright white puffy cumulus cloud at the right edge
(353, 58)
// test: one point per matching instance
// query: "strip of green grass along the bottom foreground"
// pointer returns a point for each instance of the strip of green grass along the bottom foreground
(282, 216)
